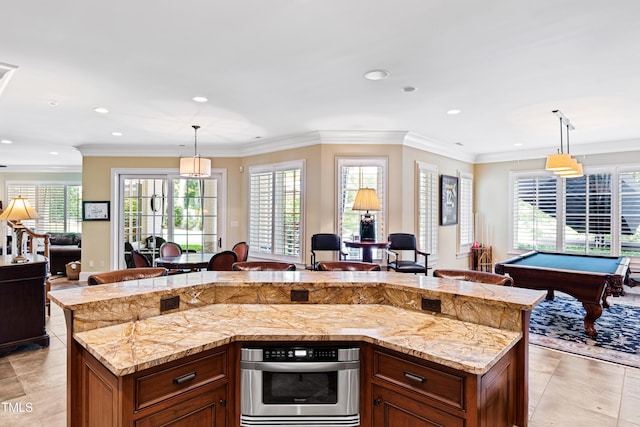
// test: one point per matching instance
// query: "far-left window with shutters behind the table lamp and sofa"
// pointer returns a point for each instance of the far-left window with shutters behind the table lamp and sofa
(59, 206)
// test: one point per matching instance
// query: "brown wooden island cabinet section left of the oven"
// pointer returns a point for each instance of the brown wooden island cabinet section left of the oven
(193, 391)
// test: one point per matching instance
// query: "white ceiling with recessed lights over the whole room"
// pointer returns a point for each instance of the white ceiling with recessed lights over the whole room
(278, 68)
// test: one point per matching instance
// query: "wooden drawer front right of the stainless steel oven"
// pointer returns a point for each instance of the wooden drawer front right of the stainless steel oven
(442, 386)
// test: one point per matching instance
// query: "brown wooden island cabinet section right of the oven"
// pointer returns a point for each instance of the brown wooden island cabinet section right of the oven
(406, 391)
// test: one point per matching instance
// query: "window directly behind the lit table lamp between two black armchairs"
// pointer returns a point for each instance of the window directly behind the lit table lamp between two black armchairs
(353, 174)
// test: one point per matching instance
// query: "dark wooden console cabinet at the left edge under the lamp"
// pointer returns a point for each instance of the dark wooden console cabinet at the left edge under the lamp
(22, 303)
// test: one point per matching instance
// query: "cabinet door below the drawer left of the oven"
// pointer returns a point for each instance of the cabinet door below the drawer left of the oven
(205, 410)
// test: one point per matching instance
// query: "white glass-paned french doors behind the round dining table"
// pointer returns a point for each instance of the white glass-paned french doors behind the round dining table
(163, 207)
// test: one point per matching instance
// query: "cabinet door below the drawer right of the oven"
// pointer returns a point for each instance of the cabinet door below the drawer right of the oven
(392, 409)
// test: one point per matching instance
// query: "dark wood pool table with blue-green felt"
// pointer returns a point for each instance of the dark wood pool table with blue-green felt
(590, 279)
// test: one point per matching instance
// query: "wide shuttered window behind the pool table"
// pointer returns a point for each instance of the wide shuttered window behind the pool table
(597, 214)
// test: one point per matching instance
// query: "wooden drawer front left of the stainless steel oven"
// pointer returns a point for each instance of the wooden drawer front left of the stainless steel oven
(161, 385)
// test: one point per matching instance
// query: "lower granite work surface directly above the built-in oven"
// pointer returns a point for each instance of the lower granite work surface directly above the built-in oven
(132, 346)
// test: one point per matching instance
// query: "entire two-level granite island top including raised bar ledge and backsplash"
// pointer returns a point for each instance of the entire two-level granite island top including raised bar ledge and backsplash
(121, 325)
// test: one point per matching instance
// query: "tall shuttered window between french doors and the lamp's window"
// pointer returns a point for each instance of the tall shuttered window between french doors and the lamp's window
(275, 211)
